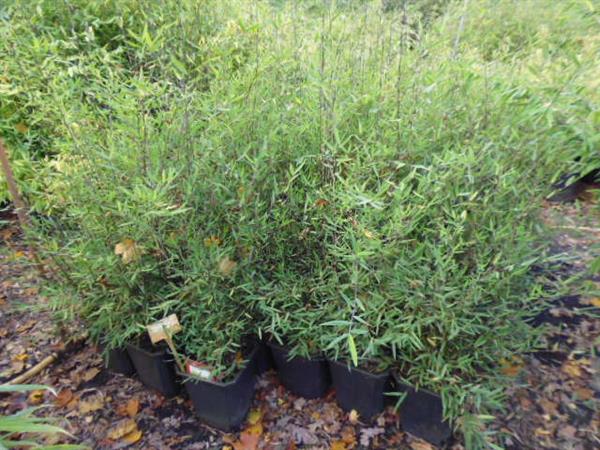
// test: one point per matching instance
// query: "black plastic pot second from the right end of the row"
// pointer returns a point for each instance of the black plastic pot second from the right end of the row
(358, 389)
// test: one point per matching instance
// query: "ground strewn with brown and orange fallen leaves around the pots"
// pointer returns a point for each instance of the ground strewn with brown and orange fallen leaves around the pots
(553, 402)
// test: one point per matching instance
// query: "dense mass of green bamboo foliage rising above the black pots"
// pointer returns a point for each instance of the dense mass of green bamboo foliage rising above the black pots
(358, 178)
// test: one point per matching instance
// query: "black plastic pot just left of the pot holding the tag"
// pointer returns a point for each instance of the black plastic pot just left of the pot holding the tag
(155, 368)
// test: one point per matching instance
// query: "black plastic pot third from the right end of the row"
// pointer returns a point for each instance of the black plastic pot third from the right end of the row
(308, 378)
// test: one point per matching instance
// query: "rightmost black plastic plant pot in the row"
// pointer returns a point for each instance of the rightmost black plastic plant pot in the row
(421, 414)
